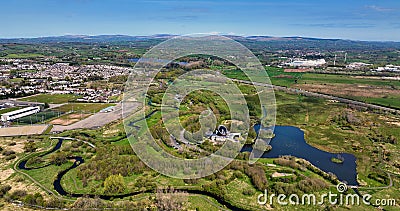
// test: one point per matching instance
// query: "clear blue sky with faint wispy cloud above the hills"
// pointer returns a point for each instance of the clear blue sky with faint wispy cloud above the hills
(348, 19)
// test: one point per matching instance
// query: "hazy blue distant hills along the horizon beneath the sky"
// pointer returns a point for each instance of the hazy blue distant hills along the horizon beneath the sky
(254, 42)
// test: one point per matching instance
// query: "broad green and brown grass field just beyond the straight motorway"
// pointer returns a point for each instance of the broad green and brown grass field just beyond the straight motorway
(367, 89)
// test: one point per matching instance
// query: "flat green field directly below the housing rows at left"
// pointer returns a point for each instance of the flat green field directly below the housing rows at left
(51, 99)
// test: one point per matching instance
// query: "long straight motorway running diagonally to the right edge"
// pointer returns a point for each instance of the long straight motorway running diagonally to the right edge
(325, 96)
